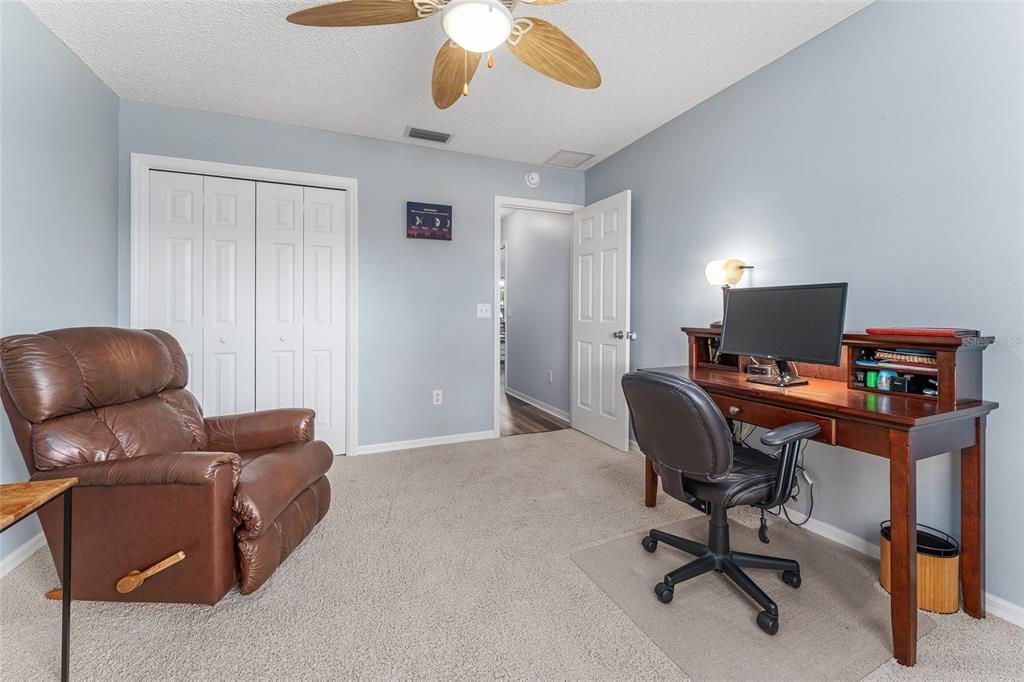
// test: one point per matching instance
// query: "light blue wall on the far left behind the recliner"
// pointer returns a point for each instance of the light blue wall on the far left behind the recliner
(59, 254)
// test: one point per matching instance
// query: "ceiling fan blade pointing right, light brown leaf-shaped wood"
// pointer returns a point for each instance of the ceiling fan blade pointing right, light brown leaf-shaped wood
(553, 54)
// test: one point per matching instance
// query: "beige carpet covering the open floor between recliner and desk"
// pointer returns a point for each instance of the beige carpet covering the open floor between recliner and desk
(445, 563)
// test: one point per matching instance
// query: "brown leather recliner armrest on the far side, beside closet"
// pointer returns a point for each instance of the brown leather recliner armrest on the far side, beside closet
(257, 431)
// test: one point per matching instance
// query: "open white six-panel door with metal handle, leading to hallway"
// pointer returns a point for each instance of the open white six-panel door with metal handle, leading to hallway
(601, 337)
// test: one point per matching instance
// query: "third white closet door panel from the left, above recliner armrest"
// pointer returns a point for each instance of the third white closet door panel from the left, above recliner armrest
(279, 296)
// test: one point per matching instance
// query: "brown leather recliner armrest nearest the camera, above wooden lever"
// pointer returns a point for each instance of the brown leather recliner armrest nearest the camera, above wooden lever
(170, 468)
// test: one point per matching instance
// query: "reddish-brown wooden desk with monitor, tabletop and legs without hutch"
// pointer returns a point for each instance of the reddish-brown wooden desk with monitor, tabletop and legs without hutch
(902, 429)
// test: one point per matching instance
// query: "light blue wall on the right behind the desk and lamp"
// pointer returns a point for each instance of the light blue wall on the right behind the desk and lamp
(887, 153)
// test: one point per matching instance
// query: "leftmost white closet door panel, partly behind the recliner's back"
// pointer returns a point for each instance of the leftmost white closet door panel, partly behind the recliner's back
(175, 288)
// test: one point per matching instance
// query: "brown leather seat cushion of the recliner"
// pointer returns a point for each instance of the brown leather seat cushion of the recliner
(272, 479)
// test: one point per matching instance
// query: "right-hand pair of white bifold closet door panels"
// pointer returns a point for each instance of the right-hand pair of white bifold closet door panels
(301, 304)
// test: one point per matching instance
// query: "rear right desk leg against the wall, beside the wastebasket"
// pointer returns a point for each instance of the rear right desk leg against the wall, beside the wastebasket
(973, 524)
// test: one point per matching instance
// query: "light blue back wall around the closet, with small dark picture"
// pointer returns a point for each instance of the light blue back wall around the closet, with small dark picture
(418, 325)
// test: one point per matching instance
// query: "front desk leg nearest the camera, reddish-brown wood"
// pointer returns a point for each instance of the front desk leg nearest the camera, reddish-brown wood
(903, 509)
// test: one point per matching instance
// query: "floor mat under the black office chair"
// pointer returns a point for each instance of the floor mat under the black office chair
(838, 613)
